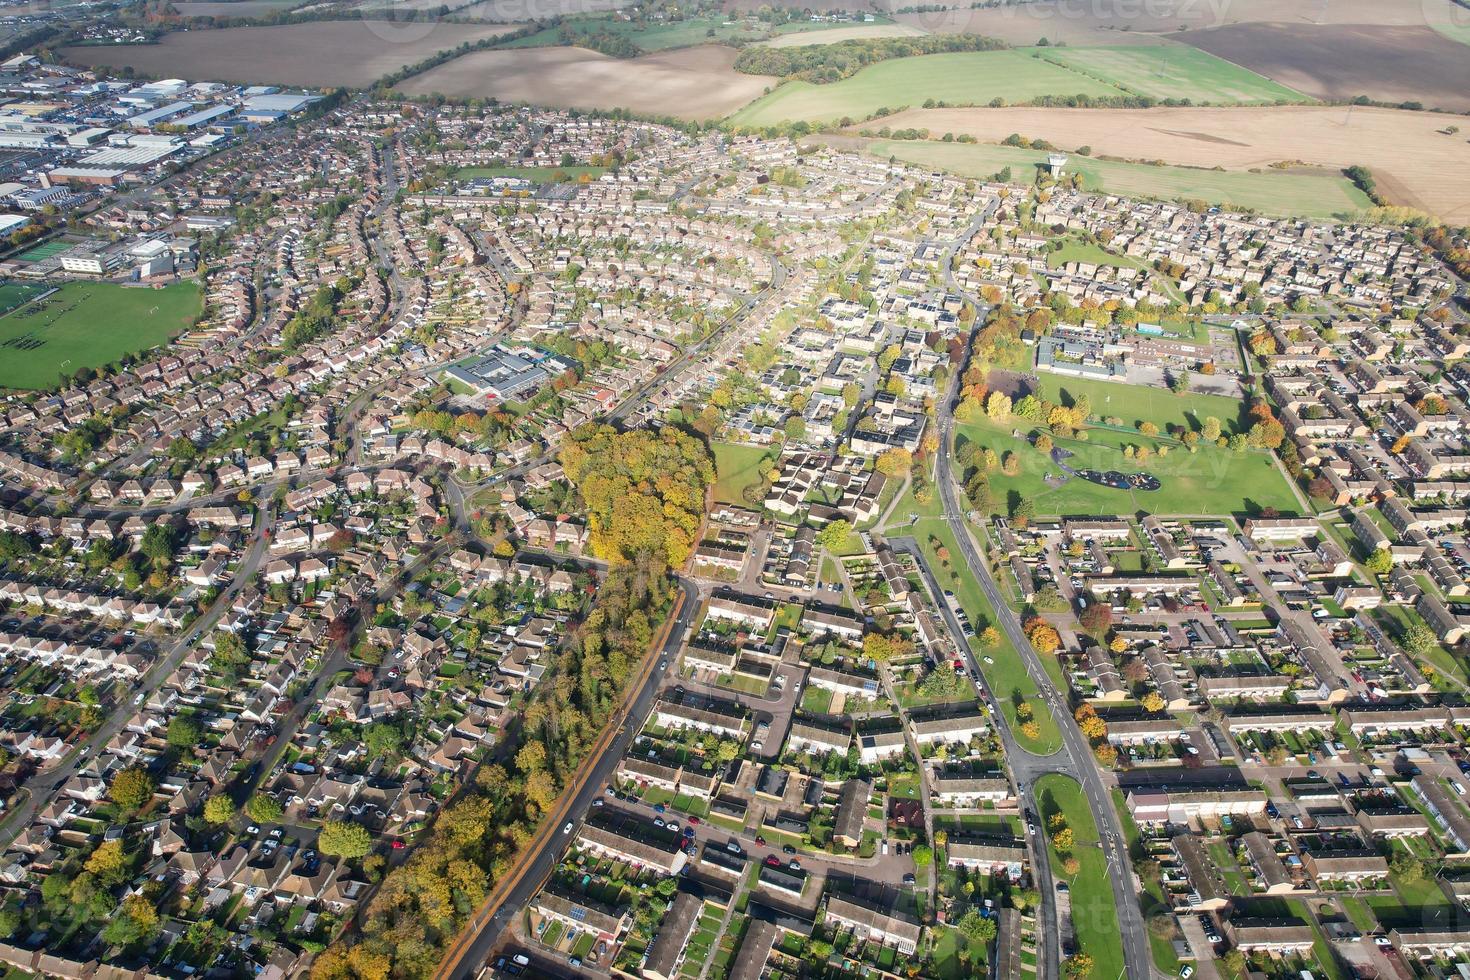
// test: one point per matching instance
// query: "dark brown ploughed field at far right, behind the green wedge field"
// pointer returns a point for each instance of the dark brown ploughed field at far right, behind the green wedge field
(1387, 64)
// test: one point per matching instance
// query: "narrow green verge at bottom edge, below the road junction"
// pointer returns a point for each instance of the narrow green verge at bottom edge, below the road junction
(1094, 912)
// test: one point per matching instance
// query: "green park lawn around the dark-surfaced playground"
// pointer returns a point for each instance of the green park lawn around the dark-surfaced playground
(1212, 481)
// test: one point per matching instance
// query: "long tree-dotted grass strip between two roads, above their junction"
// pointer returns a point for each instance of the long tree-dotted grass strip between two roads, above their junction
(1008, 677)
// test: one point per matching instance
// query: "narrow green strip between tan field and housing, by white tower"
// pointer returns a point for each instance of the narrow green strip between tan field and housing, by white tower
(1269, 193)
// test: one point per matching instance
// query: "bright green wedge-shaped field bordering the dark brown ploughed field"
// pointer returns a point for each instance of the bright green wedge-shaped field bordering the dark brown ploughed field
(1175, 73)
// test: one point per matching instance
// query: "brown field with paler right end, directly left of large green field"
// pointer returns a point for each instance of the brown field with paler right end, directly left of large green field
(693, 83)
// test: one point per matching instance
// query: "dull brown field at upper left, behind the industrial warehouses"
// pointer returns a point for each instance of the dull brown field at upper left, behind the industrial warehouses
(323, 54)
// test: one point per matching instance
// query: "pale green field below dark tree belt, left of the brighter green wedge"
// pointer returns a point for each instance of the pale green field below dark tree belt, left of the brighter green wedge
(958, 79)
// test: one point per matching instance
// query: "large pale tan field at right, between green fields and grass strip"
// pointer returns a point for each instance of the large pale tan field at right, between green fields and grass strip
(1415, 164)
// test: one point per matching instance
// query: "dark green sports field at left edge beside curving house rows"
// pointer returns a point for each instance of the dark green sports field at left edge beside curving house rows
(87, 325)
